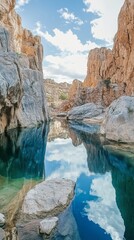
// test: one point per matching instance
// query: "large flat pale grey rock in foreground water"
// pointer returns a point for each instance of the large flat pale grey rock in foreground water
(48, 197)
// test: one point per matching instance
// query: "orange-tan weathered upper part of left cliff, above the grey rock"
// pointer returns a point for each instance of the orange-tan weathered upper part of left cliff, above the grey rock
(21, 40)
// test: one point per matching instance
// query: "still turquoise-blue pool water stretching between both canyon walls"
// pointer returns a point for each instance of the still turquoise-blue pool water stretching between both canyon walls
(103, 206)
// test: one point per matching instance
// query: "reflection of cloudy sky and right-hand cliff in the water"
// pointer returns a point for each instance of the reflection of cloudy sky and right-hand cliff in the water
(100, 207)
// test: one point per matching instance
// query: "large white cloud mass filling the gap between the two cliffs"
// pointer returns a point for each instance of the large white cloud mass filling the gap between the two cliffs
(71, 61)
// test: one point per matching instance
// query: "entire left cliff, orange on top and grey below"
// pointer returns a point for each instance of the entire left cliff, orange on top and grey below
(22, 101)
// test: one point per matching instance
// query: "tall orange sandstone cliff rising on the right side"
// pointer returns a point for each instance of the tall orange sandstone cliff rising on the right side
(110, 73)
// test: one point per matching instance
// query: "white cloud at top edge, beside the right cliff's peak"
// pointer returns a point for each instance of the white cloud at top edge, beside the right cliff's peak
(105, 26)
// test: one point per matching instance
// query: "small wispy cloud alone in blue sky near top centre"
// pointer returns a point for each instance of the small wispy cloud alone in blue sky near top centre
(70, 17)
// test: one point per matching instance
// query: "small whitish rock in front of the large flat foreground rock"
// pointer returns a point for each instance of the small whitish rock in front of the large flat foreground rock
(47, 225)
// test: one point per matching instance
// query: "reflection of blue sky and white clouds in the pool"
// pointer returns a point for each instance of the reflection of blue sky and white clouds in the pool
(94, 205)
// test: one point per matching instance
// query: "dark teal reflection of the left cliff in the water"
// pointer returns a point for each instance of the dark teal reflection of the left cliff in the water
(22, 153)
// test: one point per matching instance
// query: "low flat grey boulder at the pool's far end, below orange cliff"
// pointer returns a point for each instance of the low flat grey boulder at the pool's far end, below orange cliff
(88, 110)
